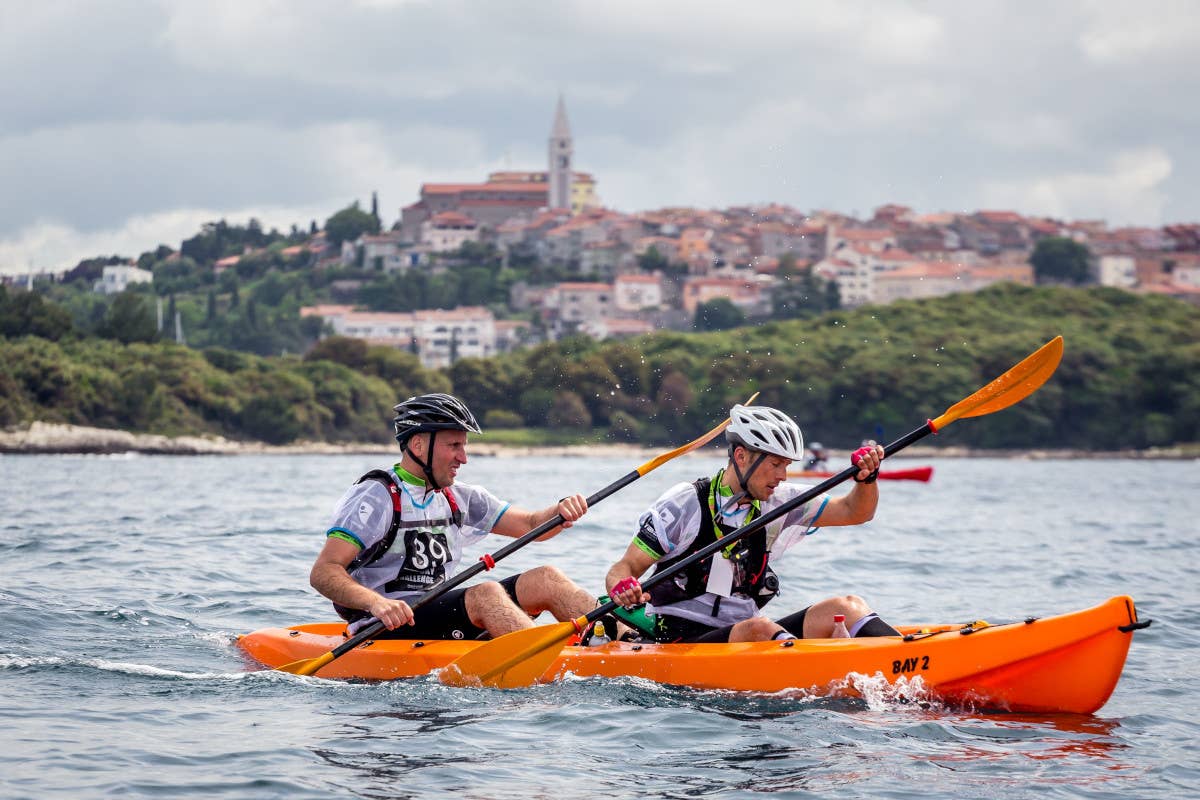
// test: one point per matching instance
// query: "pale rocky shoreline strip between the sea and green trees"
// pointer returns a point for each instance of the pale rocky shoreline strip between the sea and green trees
(45, 438)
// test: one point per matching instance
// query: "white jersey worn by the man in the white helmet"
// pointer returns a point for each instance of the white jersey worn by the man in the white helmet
(670, 527)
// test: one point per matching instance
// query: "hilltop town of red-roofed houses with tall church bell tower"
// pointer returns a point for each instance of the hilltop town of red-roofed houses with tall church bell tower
(619, 274)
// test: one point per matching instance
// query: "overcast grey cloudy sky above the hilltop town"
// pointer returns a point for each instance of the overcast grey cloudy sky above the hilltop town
(129, 124)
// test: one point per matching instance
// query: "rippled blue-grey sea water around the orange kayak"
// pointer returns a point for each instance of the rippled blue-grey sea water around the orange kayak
(125, 580)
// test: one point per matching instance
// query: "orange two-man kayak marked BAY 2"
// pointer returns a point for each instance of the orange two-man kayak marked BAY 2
(1069, 663)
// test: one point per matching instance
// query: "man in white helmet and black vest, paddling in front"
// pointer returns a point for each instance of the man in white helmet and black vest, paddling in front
(719, 599)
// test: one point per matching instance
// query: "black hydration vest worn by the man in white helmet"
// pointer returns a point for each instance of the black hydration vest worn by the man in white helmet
(759, 582)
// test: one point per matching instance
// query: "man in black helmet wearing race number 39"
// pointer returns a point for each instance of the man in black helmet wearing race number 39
(398, 534)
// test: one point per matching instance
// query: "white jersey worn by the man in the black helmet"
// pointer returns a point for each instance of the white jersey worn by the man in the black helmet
(429, 545)
